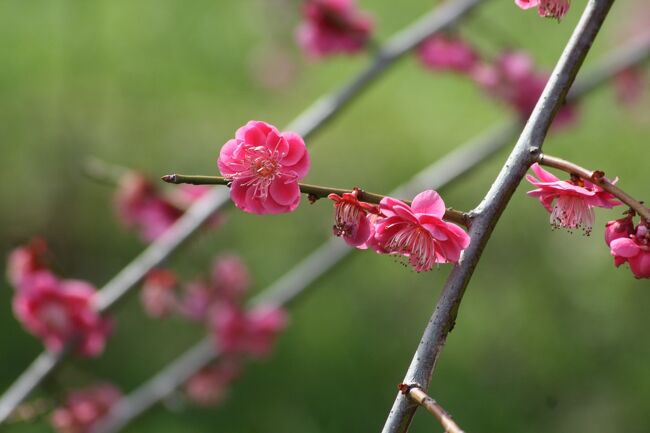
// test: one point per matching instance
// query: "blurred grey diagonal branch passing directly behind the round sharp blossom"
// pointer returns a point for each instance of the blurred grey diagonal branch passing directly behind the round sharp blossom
(306, 124)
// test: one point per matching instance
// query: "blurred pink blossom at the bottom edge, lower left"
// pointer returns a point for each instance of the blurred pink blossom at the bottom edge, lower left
(84, 408)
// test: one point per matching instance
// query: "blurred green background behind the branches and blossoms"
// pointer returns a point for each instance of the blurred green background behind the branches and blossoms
(550, 336)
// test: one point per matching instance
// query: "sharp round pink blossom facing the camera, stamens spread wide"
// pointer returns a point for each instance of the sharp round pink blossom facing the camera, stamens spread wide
(264, 167)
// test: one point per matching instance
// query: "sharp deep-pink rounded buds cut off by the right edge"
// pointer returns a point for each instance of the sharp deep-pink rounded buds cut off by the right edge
(630, 244)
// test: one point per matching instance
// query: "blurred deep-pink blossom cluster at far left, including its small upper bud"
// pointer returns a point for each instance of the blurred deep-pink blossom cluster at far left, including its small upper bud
(59, 311)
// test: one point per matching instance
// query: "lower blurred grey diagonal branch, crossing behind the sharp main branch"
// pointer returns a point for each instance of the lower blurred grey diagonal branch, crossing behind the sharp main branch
(288, 288)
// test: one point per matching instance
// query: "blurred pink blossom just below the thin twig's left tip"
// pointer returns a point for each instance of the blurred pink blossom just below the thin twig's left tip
(141, 206)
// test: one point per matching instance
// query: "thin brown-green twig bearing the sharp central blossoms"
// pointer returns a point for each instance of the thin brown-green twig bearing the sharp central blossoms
(314, 191)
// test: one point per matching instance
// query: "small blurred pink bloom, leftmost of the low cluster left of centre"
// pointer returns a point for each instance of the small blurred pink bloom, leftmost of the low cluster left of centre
(158, 293)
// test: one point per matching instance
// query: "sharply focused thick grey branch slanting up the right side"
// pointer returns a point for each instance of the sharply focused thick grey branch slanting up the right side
(488, 212)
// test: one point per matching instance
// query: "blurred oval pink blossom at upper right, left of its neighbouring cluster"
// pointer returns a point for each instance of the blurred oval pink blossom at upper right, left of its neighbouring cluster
(446, 53)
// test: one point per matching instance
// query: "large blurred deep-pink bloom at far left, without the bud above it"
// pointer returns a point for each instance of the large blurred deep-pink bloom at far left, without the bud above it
(61, 310)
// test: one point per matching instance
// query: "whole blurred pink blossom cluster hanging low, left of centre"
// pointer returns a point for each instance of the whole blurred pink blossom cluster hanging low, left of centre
(216, 302)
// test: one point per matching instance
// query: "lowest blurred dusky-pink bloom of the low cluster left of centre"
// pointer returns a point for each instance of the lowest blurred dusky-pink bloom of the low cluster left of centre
(209, 386)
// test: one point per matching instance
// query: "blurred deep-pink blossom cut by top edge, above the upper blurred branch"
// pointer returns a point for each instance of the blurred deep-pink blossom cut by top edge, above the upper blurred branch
(333, 27)
